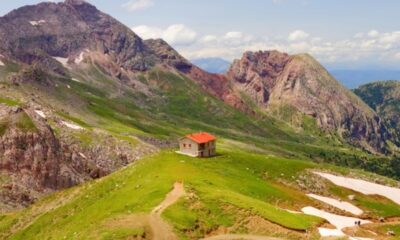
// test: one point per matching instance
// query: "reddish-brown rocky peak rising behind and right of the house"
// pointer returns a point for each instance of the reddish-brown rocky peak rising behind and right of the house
(276, 80)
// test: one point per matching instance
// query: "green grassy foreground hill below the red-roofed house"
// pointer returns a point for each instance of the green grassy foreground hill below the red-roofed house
(219, 187)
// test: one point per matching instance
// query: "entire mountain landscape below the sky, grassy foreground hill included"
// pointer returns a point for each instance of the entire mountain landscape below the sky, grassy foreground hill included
(84, 98)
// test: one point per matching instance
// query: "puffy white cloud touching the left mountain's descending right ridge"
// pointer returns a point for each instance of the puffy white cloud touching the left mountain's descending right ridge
(176, 34)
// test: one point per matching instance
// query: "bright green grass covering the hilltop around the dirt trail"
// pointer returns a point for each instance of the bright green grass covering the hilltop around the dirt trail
(139, 188)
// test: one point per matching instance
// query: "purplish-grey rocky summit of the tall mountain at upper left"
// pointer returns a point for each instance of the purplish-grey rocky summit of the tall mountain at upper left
(38, 33)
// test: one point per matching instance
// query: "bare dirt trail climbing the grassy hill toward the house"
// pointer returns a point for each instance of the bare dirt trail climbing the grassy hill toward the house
(160, 229)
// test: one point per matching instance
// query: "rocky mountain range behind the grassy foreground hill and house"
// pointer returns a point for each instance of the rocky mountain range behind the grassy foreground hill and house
(89, 78)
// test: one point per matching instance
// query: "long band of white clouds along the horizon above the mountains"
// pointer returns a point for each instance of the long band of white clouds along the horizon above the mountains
(363, 47)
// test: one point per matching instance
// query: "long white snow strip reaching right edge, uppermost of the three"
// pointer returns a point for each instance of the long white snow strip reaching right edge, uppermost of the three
(364, 187)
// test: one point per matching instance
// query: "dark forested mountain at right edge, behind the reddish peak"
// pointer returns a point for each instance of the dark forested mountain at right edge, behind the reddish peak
(384, 98)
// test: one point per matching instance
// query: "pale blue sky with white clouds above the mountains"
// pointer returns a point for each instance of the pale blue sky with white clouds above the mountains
(342, 34)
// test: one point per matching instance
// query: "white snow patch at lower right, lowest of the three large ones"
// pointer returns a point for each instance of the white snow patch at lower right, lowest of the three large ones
(338, 221)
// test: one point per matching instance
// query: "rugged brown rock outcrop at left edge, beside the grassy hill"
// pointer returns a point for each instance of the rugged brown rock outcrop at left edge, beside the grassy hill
(39, 162)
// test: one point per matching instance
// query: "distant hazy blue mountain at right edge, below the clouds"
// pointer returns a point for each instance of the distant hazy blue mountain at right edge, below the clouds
(355, 78)
